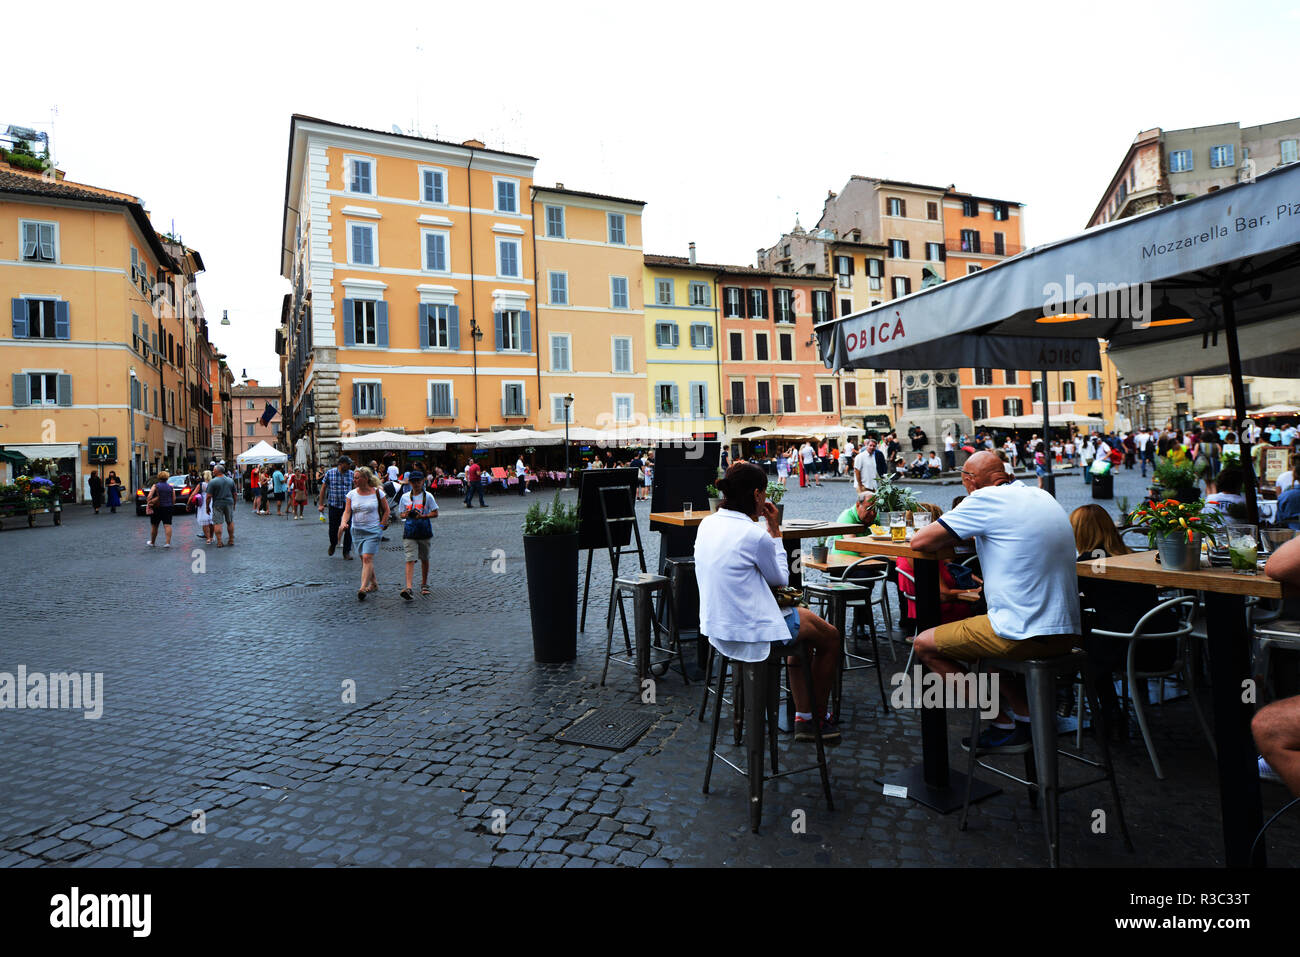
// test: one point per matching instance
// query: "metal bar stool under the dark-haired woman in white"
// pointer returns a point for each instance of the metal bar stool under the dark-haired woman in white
(755, 711)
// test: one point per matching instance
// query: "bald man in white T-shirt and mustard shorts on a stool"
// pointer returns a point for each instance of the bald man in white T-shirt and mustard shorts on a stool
(1028, 557)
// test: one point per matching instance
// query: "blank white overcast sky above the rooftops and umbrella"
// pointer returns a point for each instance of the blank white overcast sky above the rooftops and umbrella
(727, 119)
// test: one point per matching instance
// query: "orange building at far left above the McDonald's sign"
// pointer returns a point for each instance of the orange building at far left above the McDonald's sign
(97, 340)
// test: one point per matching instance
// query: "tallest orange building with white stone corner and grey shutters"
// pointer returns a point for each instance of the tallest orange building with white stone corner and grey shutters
(414, 302)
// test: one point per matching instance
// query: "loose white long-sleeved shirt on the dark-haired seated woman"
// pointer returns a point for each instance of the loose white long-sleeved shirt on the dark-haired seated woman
(736, 565)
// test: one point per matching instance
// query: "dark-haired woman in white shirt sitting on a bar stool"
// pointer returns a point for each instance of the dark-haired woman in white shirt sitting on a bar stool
(739, 560)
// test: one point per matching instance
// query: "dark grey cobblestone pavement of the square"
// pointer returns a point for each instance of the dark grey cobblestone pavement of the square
(224, 677)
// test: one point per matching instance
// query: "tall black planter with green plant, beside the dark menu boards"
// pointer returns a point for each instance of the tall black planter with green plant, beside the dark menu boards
(551, 558)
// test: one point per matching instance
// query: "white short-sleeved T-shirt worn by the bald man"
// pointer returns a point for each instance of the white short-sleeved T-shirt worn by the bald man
(1028, 555)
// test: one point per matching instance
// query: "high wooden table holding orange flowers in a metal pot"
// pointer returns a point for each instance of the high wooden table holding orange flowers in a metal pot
(1229, 639)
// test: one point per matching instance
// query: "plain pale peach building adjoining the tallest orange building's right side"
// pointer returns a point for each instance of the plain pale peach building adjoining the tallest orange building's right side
(591, 309)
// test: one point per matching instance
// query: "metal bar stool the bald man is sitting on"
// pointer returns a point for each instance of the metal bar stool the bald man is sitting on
(1041, 763)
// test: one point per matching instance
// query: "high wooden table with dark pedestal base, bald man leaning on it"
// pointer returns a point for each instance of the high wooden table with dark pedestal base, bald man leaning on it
(931, 785)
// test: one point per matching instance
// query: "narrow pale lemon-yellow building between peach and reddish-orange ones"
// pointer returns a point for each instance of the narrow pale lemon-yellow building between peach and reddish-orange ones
(683, 362)
